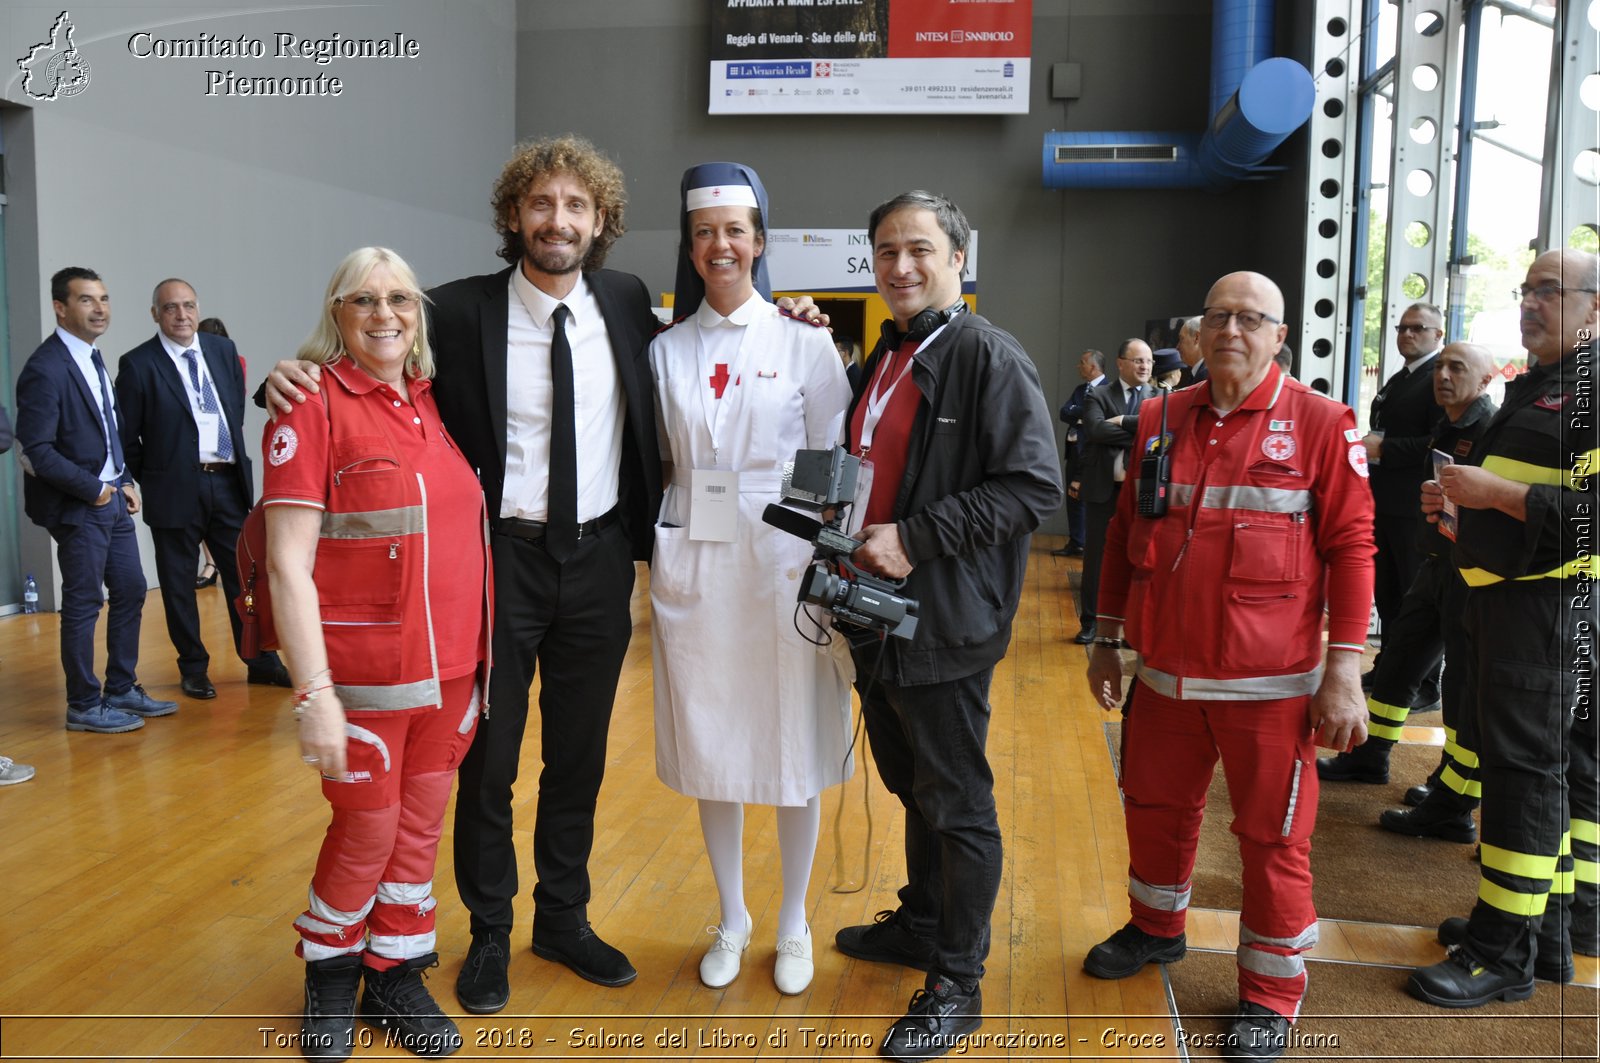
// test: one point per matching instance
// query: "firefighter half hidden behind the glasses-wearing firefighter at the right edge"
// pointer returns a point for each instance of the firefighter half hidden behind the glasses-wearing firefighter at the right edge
(1426, 628)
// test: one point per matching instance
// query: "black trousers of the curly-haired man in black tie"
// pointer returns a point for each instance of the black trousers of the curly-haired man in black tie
(570, 624)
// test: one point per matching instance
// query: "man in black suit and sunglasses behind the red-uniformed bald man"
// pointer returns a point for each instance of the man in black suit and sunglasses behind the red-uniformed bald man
(1398, 459)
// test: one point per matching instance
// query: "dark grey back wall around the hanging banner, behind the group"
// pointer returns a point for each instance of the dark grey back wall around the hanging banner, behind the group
(1058, 270)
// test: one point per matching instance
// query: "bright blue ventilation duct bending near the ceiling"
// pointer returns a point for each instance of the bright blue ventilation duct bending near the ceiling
(1257, 103)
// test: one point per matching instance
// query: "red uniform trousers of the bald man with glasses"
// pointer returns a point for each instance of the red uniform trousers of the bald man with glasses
(1270, 760)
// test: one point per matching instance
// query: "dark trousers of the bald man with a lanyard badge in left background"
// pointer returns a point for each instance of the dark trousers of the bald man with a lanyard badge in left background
(220, 515)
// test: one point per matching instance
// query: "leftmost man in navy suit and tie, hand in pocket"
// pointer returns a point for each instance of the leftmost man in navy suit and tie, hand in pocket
(76, 486)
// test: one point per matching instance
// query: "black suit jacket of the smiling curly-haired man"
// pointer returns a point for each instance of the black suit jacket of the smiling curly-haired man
(468, 331)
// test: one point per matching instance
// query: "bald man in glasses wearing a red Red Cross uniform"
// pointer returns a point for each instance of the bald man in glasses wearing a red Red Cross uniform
(1270, 523)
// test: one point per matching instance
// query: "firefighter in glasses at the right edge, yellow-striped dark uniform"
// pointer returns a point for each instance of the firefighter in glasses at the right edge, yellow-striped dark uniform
(1526, 548)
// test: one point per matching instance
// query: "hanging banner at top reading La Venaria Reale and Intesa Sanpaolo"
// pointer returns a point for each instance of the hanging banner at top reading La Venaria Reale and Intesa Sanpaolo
(871, 57)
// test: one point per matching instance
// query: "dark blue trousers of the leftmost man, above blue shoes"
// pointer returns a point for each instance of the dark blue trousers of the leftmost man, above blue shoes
(102, 550)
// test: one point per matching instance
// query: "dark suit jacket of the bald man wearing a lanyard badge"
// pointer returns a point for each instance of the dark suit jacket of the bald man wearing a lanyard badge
(159, 433)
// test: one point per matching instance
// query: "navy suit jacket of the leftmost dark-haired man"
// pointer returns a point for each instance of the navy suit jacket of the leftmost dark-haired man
(62, 435)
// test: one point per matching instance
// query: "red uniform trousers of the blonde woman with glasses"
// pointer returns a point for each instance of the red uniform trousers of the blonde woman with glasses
(374, 888)
